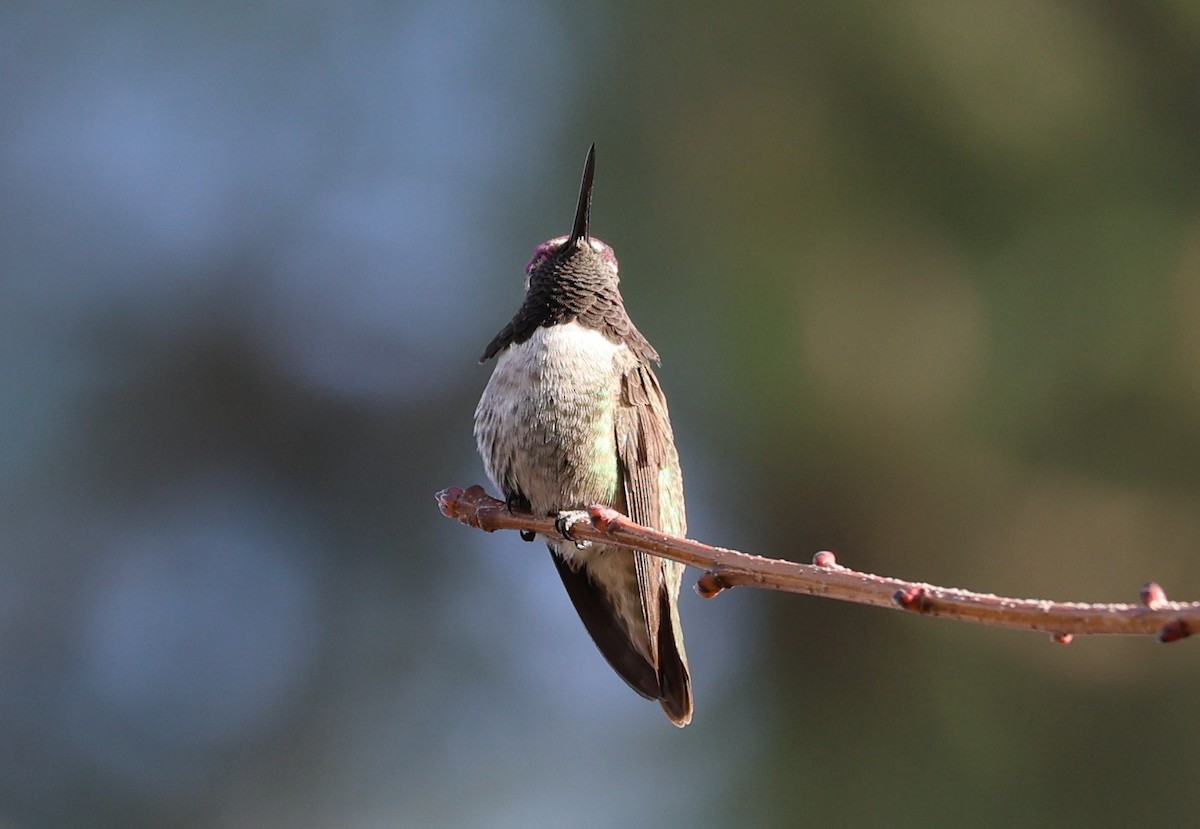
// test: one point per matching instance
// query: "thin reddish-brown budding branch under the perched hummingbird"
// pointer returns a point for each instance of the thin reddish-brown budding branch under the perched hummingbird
(1154, 616)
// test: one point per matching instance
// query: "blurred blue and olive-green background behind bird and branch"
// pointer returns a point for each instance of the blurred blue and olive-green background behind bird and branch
(926, 278)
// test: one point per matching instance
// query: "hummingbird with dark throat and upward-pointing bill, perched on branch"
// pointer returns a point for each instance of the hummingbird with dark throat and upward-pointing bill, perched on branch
(574, 417)
